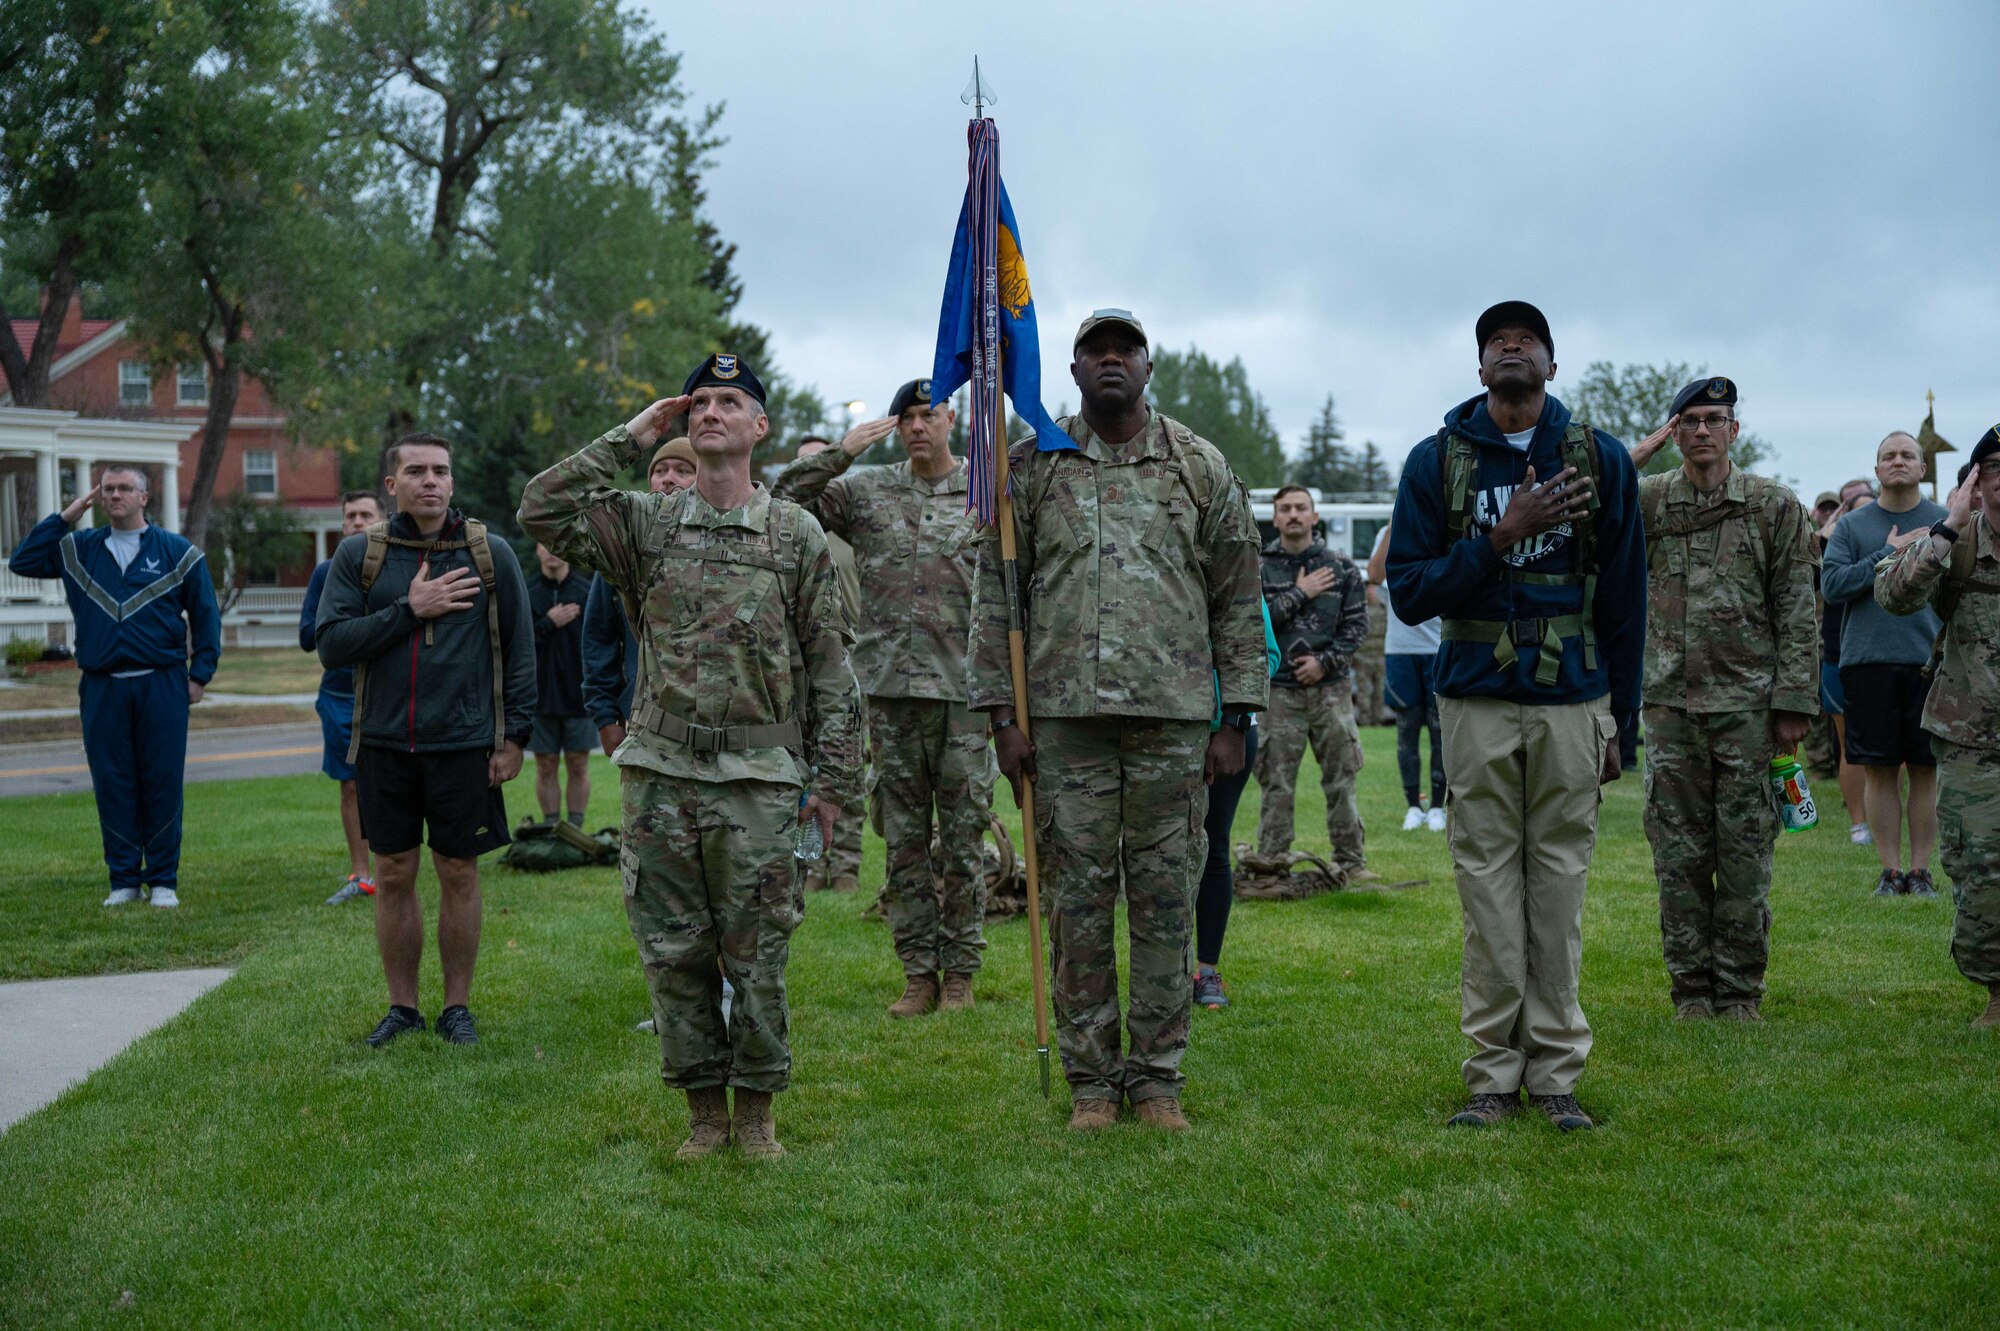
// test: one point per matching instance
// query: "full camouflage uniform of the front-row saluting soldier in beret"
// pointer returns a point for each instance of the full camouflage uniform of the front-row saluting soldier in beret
(743, 680)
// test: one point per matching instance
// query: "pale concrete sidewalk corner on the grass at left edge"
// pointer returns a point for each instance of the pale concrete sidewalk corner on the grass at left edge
(57, 1032)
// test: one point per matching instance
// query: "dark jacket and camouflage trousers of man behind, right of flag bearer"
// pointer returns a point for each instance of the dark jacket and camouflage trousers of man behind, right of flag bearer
(1331, 627)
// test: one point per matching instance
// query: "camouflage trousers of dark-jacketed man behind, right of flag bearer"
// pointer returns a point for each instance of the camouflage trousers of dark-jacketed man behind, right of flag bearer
(1321, 716)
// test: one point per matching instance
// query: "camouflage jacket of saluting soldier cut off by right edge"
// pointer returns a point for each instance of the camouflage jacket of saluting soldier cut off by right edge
(1965, 692)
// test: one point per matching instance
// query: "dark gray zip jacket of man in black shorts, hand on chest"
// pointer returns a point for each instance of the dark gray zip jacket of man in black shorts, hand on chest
(445, 663)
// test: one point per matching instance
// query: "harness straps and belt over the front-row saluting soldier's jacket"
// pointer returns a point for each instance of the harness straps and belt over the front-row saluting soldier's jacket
(777, 555)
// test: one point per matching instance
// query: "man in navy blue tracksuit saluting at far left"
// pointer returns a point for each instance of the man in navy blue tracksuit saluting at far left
(147, 639)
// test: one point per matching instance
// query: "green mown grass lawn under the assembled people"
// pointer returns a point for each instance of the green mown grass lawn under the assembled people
(255, 1164)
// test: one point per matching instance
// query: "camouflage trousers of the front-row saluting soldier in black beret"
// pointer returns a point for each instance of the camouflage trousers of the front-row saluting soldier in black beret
(709, 874)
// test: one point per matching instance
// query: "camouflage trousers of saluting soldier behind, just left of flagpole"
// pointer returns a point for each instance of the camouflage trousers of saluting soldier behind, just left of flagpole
(933, 756)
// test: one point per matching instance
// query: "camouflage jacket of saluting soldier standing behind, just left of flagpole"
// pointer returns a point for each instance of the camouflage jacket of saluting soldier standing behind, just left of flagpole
(913, 549)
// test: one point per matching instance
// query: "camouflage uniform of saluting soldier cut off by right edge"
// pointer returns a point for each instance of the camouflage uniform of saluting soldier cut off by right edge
(1963, 716)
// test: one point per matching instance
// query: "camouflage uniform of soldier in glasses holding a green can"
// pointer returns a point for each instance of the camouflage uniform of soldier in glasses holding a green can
(1733, 635)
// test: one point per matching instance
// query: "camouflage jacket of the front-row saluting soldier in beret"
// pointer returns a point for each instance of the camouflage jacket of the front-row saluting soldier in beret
(723, 639)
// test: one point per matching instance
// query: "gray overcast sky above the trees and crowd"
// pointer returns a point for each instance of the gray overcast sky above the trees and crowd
(1805, 197)
